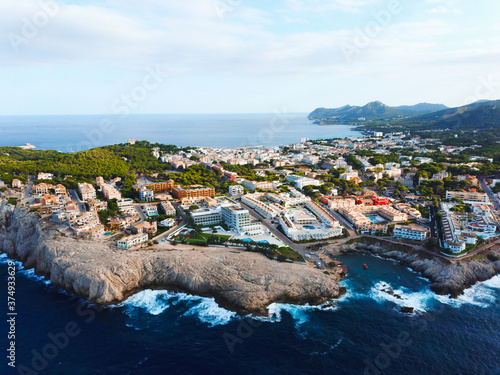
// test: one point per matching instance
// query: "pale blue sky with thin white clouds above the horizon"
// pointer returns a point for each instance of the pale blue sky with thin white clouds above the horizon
(243, 56)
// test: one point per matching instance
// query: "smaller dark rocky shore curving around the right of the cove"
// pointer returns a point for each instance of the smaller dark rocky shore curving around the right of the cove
(447, 277)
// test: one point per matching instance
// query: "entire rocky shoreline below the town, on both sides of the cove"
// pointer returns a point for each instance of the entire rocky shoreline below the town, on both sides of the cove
(239, 281)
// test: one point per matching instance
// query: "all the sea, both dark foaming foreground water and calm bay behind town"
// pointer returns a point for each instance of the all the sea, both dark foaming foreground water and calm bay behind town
(158, 332)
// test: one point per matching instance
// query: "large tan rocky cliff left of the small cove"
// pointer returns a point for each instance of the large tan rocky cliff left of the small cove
(241, 281)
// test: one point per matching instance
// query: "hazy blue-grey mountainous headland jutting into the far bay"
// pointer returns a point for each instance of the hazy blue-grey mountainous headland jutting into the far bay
(372, 111)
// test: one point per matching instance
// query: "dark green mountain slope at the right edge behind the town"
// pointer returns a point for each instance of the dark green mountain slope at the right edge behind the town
(479, 115)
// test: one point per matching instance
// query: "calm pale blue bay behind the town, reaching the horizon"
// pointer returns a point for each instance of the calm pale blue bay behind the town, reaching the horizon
(77, 133)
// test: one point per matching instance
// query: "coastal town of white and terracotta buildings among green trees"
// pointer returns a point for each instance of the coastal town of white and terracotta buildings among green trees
(282, 201)
